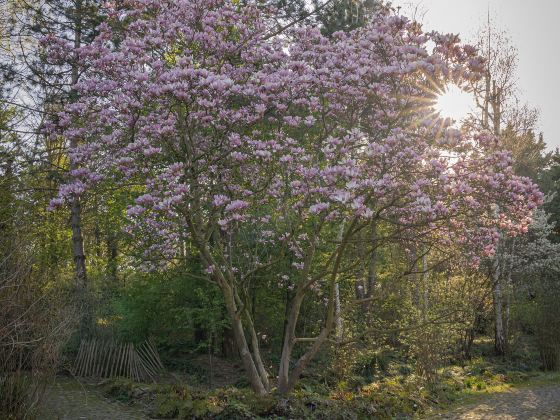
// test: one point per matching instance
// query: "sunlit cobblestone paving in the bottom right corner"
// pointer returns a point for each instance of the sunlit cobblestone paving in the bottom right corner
(540, 403)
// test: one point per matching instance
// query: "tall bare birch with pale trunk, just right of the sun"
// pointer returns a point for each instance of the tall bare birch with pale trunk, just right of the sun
(500, 111)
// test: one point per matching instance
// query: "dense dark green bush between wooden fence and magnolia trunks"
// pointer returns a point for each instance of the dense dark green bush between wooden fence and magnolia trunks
(183, 315)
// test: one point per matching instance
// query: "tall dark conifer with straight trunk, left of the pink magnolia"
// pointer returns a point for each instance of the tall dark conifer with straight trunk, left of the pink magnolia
(73, 23)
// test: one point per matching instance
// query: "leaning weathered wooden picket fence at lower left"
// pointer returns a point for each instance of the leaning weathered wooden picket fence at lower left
(109, 359)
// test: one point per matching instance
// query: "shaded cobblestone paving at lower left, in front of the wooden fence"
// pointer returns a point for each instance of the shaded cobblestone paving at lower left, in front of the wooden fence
(68, 399)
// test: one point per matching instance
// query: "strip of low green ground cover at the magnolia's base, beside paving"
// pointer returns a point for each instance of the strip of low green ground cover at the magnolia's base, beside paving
(392, 396)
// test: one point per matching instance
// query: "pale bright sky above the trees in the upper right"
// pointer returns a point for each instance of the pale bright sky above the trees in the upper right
(535, 30)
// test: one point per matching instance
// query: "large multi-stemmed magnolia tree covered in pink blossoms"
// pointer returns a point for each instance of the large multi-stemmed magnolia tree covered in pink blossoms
(271, 153)
